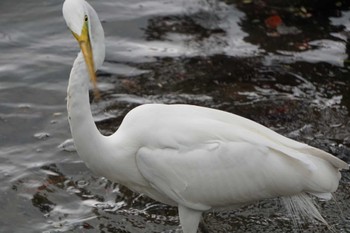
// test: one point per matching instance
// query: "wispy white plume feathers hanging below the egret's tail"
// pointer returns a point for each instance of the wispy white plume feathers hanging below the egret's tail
(302, 207)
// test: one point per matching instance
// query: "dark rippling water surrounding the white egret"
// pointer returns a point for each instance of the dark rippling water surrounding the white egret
(222, 54)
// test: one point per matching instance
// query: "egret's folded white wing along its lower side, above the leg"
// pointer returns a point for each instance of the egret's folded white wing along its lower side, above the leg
(215, 174)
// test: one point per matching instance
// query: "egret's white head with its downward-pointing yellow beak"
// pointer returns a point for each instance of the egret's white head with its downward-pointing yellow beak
(80, 17)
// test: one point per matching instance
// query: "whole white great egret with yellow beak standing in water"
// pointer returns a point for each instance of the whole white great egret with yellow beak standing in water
(192, 157)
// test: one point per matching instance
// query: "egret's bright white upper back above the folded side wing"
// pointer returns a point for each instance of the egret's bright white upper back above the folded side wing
(181, 124)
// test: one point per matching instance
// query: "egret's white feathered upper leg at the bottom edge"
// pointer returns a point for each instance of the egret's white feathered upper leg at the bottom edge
(189, 219)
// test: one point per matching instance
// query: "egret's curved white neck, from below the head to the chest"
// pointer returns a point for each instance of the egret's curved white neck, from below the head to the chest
(105, 155)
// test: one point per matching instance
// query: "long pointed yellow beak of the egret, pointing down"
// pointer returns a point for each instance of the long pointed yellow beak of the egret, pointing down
(86, 49)
